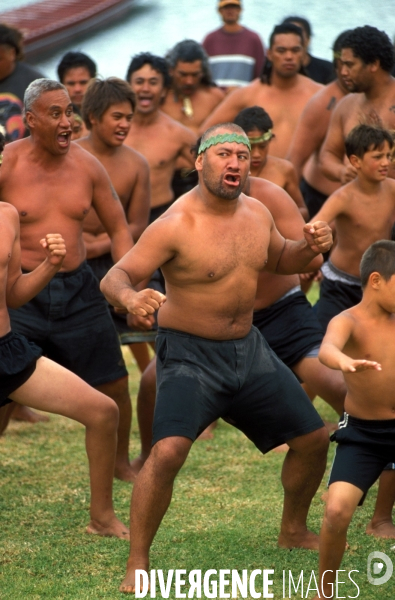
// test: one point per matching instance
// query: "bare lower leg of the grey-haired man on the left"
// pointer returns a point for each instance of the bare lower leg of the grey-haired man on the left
(118, 390)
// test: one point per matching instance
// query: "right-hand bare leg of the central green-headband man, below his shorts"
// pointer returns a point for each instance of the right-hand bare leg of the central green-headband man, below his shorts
(302, 472)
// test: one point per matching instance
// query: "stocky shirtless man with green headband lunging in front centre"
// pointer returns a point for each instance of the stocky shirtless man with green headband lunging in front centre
(211, 246)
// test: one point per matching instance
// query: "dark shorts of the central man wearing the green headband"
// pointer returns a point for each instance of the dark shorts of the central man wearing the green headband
(242, 381)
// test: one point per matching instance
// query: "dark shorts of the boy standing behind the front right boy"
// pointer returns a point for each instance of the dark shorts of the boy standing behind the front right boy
(336, 296)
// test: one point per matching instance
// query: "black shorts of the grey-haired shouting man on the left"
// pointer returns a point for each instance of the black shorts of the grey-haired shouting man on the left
(70, 321)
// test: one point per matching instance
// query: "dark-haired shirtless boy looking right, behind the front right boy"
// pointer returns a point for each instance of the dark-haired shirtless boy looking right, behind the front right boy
(363, 212)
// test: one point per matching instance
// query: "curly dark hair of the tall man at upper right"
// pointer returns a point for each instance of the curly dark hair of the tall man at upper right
(370, 44)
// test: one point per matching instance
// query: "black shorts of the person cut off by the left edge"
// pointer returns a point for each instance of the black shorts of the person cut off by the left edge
(18, 359)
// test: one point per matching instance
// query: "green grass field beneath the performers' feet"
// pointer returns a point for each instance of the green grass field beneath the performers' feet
(225, 514)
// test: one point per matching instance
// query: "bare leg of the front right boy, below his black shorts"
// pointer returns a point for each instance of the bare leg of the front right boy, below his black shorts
(343, 499)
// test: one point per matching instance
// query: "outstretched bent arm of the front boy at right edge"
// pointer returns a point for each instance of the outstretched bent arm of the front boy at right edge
(337, 335)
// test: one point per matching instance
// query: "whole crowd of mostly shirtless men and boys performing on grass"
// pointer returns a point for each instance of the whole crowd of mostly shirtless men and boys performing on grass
(194, 202)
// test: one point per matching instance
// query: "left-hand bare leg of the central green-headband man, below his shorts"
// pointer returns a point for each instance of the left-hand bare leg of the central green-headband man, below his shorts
(150, 500)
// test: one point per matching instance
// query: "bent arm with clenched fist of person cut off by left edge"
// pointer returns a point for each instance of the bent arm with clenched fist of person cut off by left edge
(23, 287)
